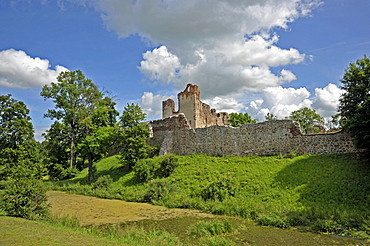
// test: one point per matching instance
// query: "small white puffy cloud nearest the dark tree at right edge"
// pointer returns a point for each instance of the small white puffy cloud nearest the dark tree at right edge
(327, 100)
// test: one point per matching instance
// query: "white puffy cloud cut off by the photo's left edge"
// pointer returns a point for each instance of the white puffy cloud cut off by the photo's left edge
(19, 70)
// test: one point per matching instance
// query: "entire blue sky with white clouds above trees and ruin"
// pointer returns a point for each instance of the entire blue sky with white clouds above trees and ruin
(254, 56)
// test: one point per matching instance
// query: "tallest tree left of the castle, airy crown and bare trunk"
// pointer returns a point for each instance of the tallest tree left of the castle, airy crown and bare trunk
(80, 106)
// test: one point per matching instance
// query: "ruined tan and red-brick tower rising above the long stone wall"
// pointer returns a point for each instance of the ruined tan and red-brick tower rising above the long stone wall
(197, 113)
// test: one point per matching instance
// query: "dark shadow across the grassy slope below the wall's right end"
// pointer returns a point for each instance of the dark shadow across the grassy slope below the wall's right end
(329, 186)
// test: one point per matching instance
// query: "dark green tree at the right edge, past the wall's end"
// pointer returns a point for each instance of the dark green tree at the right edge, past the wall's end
(354, 104)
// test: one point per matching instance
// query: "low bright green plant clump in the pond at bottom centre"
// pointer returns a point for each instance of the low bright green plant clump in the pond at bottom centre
(211, 228)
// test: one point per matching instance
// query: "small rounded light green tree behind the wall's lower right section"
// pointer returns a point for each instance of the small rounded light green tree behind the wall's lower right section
(306, 118)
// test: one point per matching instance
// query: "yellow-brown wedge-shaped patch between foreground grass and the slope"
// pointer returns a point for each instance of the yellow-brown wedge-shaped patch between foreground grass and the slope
(92, 210)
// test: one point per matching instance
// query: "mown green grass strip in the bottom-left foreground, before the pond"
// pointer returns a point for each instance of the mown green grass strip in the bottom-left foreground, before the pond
(67, 231)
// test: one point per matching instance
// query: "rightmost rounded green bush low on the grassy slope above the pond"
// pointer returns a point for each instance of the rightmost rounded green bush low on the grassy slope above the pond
(219, 189)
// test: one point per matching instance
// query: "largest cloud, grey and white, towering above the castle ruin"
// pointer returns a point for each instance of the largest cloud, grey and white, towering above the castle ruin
(222, 46)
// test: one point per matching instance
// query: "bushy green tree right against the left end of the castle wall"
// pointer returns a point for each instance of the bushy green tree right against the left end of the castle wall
(134, 133)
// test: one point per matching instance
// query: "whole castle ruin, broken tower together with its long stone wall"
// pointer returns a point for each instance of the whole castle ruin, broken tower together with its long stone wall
(195, 128)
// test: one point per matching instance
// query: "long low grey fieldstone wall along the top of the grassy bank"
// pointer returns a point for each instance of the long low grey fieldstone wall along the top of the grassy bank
(266, 138)
